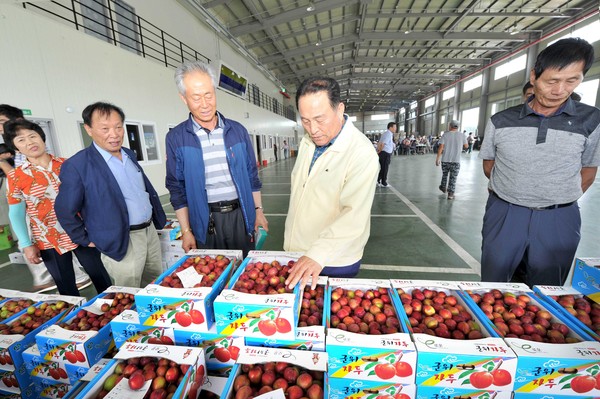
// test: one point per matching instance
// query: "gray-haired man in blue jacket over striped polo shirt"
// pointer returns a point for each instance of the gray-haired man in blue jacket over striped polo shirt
(211, 169)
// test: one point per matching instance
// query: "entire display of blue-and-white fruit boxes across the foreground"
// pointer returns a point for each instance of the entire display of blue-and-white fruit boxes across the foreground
(227, 327)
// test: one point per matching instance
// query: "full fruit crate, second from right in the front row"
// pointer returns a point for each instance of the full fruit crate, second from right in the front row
(542, 367)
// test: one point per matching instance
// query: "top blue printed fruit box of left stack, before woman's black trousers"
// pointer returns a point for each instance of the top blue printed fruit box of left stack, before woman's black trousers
(81, 348)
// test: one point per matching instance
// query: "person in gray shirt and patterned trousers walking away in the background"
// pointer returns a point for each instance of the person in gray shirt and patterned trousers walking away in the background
(450, 147)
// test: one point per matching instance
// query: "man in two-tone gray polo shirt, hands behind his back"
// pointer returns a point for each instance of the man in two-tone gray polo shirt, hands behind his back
(540, 158)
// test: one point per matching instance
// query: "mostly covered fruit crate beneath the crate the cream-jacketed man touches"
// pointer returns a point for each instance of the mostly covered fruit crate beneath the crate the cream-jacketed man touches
(310, 331)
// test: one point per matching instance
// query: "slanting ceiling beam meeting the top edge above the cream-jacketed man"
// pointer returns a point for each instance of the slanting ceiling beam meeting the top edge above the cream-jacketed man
(289, 16)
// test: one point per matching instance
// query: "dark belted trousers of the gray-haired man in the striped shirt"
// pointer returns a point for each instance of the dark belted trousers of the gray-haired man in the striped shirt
(230, 233)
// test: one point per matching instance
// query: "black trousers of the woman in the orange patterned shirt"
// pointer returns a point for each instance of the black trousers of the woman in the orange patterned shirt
(60, 268)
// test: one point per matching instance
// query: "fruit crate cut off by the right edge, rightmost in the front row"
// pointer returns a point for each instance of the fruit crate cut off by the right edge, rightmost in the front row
(565, 299)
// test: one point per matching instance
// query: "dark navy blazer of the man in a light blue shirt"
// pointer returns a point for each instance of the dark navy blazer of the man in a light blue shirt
(90, 205)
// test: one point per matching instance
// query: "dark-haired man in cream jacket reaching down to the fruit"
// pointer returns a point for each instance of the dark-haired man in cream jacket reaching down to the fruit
(333, 185)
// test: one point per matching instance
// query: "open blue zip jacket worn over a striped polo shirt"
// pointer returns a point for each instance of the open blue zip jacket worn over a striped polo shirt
(186, 180)
